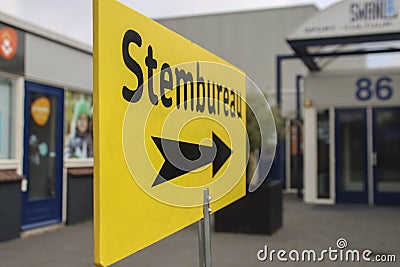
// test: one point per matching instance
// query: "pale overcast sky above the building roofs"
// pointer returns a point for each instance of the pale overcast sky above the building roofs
(73, 18)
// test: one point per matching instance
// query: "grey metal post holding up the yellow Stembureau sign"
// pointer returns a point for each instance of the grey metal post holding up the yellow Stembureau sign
(204, 233)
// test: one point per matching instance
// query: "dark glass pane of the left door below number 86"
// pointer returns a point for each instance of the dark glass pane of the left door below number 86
(351, 150)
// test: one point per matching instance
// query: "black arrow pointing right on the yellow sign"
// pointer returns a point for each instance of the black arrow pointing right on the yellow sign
(182, 157)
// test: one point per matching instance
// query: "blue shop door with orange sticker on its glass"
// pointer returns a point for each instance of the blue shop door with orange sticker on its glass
(43, 141)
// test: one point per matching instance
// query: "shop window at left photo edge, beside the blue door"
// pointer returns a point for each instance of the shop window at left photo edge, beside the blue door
(7, 118)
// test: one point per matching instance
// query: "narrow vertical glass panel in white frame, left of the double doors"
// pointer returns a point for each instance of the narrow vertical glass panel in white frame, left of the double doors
(323, 153)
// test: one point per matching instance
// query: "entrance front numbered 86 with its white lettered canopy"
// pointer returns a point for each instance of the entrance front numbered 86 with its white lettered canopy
(351, 116)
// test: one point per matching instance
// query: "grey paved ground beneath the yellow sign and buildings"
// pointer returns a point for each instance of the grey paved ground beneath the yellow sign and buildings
(305, 227)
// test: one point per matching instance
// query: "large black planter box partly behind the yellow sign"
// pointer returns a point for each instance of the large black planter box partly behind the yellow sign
(259, 212)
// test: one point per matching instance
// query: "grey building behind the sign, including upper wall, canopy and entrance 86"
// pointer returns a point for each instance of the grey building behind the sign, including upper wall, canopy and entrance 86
(345, 93)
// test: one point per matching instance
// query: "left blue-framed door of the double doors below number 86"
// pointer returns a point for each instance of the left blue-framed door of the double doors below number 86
(351, 156)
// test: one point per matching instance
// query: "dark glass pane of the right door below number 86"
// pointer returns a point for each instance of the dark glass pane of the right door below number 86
(387, 138)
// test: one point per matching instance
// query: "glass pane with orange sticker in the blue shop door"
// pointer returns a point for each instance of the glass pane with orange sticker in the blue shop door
(42, 145)
